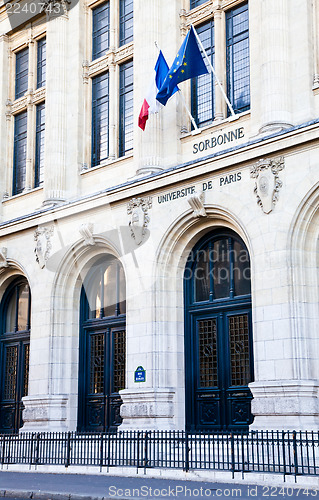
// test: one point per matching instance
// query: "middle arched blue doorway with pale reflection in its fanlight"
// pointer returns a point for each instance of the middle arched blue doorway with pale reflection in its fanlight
(102, 346)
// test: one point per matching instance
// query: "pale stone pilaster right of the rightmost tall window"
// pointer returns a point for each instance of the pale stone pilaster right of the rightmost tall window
(275, 81)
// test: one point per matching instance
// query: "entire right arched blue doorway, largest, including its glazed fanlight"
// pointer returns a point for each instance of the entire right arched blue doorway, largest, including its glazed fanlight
(218, 334)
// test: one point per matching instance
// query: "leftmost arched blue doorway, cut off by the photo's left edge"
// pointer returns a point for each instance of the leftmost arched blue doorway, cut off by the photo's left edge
(14, 354)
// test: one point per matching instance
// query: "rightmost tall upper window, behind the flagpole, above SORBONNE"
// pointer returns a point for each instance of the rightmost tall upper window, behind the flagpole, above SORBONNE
(237, 57)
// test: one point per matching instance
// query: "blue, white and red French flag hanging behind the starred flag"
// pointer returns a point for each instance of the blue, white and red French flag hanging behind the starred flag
(150, 104)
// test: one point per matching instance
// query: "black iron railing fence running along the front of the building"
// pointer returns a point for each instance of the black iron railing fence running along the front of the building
(282, 452)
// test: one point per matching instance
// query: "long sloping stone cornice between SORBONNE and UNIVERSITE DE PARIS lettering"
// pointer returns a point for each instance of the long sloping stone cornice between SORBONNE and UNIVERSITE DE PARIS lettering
(243, 155)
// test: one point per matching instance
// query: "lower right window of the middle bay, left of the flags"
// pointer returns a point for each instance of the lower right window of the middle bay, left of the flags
(126, 108)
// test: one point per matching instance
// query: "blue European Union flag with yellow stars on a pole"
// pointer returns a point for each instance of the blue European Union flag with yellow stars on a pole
(188, 64)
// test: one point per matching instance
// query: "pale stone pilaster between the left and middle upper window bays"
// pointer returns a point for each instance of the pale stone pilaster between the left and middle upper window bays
(56, 109)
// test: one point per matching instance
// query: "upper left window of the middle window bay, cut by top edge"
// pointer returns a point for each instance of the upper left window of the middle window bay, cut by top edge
(101, 30)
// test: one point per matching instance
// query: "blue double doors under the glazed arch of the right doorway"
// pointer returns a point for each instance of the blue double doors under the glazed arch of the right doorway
(221, 357)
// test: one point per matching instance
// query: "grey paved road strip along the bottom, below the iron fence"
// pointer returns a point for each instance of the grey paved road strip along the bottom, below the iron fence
(69, 486)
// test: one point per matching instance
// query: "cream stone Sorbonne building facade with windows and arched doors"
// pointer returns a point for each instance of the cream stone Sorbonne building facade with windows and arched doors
(165, 278)
